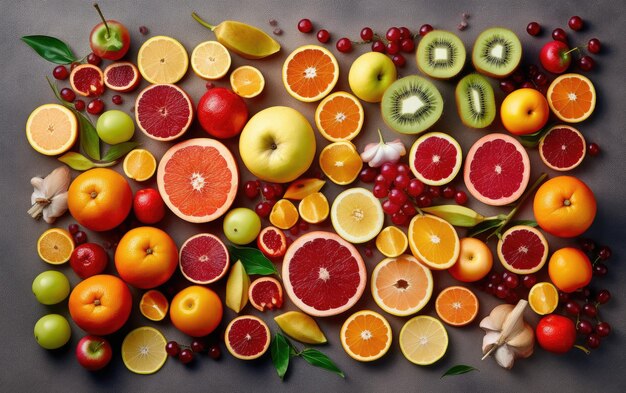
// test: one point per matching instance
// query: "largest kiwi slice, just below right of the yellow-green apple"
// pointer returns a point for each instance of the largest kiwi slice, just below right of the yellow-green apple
(411, 105)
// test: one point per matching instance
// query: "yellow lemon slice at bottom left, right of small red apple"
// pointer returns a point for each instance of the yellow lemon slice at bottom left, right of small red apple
(143, 350)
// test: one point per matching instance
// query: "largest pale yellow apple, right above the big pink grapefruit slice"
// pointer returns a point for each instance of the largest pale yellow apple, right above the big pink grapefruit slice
(277, 144)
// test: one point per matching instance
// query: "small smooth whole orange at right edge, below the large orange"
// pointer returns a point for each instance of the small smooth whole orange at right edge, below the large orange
(569, 269)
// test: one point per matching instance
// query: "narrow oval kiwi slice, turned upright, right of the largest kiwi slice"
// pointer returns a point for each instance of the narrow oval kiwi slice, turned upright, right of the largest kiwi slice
(475, 101)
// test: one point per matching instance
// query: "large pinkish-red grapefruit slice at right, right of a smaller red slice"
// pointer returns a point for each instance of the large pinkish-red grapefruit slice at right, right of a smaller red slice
(497, 169)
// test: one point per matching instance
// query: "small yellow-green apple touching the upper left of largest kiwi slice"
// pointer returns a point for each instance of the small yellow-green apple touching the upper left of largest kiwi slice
(370, 75)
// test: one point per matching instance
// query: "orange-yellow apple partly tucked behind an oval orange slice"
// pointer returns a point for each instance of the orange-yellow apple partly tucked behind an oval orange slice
(475, 261)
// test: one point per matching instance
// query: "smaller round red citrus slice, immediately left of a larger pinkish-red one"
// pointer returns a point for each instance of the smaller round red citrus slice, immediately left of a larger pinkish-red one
(435, 158)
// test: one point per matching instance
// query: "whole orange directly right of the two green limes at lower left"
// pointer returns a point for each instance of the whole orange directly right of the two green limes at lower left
(100, 304)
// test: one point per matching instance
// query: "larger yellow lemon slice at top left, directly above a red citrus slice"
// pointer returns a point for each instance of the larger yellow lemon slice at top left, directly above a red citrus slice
(162, 59)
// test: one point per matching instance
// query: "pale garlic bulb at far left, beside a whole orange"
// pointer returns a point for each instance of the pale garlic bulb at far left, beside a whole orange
(49, 198)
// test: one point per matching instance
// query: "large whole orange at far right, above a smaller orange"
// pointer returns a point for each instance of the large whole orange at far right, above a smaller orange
(564, 206)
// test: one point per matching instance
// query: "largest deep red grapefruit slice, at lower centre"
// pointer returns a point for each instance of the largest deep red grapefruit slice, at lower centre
(323, 274)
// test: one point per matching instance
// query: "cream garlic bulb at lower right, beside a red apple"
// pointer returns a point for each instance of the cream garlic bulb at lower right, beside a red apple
(507, 335)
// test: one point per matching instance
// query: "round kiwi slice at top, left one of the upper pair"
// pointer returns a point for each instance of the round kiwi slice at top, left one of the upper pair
(440, 54)
